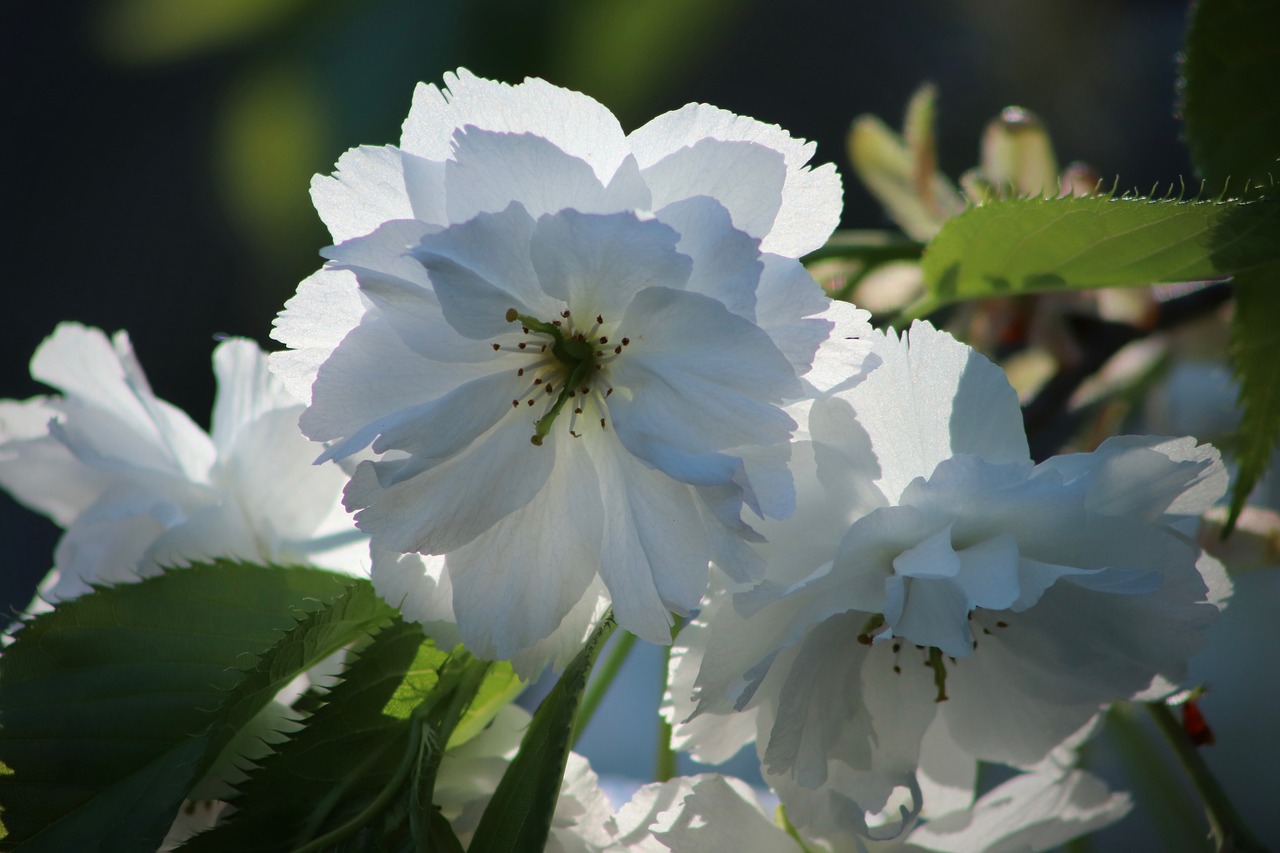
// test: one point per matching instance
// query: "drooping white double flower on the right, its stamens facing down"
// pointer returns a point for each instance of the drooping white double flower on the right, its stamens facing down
(930, 558)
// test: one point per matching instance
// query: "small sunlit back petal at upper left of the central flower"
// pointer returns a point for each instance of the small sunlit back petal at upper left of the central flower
(367, 190)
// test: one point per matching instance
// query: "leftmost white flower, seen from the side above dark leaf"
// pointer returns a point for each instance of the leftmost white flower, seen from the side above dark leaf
(139, 486)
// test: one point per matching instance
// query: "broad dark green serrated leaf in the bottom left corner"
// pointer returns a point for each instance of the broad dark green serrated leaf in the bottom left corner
(115, 705)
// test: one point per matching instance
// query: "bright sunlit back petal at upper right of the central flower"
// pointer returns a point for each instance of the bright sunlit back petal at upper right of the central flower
(811, 200)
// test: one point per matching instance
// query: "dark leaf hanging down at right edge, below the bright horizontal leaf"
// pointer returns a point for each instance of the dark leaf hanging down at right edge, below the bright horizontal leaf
(1255, 354)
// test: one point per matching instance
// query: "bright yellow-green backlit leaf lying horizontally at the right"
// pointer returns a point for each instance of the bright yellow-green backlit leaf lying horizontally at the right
(1039, 245)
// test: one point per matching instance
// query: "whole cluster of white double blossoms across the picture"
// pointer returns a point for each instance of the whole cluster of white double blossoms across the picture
(566, 368)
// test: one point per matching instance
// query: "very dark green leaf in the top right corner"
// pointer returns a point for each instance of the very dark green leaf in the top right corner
(1232, 93)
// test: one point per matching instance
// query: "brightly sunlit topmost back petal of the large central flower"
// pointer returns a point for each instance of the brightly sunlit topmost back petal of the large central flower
(572, 121)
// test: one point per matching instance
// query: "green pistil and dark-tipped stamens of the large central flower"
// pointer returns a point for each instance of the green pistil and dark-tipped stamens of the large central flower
(569, 367)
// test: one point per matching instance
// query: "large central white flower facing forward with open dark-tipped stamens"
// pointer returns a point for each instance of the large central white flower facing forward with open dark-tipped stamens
(569, 349)
